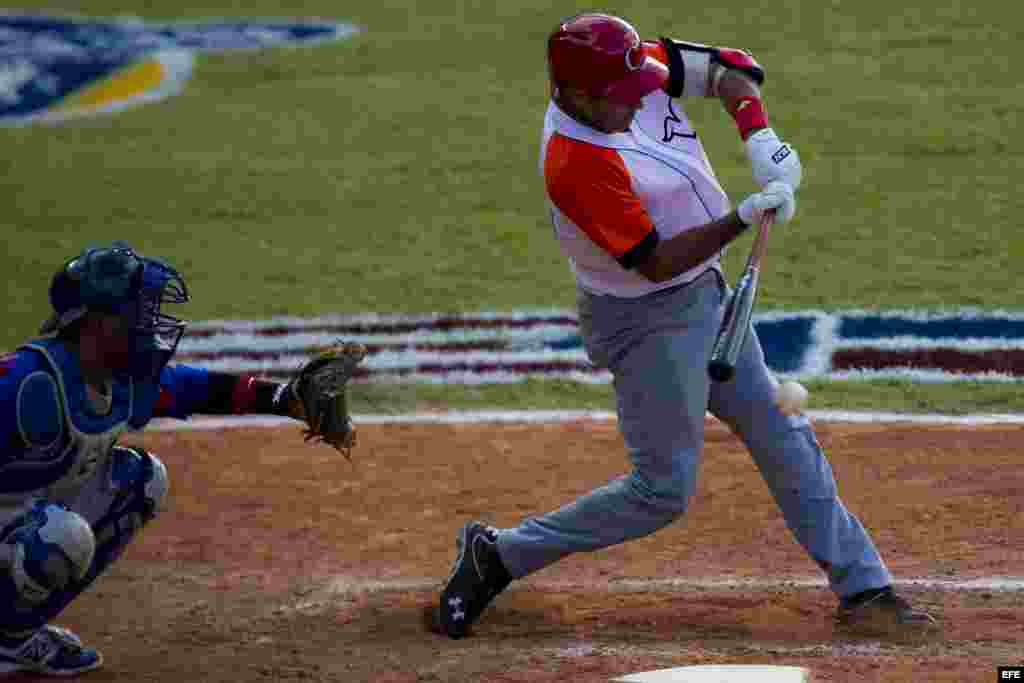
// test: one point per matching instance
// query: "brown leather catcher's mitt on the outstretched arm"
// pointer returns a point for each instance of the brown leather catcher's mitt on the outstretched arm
(317, 396)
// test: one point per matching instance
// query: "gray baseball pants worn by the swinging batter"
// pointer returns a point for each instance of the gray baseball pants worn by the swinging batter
(657, 348)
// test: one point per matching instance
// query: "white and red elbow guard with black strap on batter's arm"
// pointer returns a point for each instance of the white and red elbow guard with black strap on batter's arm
(693, 66)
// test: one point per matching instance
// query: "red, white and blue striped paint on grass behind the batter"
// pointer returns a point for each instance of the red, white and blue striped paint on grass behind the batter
(483, 349)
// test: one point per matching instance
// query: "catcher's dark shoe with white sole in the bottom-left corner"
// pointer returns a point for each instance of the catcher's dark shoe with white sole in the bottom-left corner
(50, 652)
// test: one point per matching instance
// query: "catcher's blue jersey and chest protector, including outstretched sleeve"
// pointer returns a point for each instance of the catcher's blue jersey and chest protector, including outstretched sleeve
(52, 442)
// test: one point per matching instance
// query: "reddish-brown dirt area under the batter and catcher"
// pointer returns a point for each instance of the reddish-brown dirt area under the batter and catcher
(280, 562)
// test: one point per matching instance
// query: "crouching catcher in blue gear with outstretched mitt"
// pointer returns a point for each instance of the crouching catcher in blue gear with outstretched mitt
(71, 499)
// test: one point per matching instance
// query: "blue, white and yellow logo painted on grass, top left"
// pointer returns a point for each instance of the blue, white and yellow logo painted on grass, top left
(55, 68)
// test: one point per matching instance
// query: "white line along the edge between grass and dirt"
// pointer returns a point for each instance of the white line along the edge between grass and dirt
(556, 417)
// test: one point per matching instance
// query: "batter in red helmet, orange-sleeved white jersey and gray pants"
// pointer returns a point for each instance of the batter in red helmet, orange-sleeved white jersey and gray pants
(643, 220)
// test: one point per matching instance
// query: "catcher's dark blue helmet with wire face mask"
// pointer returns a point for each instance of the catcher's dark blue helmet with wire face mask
(117, 281)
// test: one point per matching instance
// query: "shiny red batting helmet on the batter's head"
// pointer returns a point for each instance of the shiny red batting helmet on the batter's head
(603, 55)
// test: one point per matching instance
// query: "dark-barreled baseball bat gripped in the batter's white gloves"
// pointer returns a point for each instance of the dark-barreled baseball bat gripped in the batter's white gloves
(737, 320)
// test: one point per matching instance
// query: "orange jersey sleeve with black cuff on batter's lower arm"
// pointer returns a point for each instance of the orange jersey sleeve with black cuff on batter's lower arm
(592, 187)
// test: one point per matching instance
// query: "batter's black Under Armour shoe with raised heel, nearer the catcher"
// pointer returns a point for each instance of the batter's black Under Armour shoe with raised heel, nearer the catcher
(478, 577)
